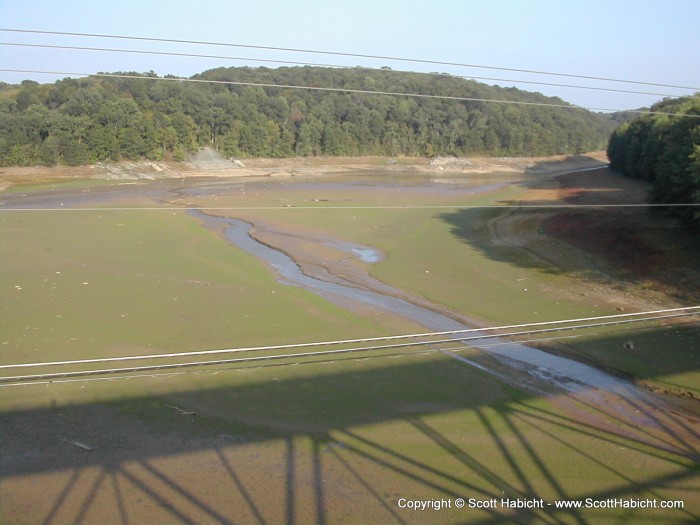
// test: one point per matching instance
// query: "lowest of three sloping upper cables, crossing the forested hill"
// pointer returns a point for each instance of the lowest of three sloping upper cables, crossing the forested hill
(344, 90)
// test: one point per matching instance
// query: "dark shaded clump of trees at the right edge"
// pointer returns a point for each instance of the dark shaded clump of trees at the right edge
(664, 150)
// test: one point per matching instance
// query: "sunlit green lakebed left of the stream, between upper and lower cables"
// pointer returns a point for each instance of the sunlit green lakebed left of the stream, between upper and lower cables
(79, 285)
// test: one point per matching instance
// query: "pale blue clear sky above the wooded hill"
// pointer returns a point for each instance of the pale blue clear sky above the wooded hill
(638, 40)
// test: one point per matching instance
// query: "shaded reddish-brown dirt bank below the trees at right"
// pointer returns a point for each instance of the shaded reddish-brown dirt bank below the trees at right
(646, 253)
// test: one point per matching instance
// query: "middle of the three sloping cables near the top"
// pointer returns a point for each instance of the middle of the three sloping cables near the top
(290, 62)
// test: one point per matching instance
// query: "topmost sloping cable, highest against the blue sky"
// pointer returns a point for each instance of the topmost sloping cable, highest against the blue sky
(353, 55)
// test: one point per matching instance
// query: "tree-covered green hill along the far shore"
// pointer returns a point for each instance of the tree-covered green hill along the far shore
(78, 121)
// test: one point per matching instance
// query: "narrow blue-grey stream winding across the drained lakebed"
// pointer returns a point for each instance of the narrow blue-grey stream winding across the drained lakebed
(563, 372)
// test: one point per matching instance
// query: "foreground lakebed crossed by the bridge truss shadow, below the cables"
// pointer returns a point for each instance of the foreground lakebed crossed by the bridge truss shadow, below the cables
(345, 441)
